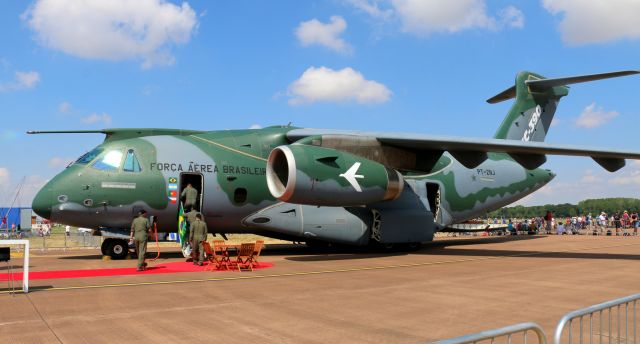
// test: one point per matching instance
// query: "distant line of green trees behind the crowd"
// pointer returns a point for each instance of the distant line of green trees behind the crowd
(593, 206)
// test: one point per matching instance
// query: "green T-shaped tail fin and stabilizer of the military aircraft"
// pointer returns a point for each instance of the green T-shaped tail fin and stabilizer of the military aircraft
(537, 98)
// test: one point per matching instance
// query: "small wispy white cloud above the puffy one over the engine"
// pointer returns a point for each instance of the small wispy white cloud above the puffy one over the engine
(315, 32)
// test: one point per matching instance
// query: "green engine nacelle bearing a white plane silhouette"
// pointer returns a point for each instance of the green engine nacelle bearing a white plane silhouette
(312, 175)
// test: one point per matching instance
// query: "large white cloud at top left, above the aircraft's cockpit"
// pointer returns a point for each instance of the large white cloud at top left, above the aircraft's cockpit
(113, 30)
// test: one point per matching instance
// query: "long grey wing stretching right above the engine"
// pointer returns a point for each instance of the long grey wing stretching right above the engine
(470, 152)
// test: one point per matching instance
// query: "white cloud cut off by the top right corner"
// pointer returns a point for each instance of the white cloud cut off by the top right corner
(597, 21)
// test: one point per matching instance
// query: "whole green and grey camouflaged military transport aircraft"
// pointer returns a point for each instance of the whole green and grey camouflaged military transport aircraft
(313, 185)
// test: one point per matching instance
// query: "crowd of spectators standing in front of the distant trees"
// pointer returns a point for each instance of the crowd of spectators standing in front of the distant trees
(619, 223)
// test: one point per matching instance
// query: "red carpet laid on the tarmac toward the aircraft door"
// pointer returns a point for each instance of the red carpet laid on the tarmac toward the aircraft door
(166, 268)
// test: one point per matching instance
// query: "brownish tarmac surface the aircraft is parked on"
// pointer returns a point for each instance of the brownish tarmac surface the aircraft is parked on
(446, 289)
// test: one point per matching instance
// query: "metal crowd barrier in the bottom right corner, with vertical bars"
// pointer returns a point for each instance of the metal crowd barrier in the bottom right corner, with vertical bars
(610, 312)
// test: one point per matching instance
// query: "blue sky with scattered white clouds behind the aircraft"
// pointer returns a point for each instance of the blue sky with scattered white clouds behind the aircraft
(387, 65)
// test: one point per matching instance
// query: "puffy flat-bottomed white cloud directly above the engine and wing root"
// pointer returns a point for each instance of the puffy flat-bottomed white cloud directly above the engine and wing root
(327, 85)
